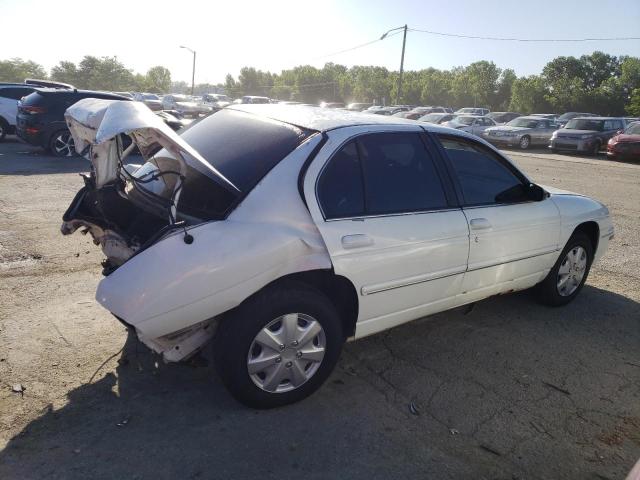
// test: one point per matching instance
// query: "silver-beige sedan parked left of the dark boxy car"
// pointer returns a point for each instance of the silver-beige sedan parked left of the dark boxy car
(523, 132)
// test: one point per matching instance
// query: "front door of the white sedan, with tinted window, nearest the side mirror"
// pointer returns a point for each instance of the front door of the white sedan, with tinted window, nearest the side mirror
(513, 241)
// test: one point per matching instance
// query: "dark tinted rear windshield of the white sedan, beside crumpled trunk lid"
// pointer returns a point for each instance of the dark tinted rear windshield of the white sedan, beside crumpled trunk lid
(241, 146)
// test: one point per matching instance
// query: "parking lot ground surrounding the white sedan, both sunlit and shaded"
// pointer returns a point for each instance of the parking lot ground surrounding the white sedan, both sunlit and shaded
(509, 390)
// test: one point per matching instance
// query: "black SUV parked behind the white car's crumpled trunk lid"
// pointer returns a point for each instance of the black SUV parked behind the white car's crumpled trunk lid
(41, 121)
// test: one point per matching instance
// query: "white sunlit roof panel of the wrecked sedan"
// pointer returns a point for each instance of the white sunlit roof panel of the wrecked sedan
(317, 118)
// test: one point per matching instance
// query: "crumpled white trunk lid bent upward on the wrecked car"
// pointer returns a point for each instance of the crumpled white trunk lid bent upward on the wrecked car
(96, 123)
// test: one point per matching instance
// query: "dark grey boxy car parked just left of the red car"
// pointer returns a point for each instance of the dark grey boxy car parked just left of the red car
(587, 134)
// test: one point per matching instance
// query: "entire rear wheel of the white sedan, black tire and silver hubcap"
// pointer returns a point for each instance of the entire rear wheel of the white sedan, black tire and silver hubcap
(278, 346)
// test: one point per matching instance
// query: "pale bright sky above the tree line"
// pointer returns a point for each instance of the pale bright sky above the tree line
(275, 35)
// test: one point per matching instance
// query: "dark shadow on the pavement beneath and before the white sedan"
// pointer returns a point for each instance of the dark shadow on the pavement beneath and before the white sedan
(146, 419)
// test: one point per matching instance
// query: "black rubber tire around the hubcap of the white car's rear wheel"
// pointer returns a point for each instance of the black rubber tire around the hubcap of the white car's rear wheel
(239, 328)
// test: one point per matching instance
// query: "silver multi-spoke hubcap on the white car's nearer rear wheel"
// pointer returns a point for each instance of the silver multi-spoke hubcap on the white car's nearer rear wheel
(286, 353)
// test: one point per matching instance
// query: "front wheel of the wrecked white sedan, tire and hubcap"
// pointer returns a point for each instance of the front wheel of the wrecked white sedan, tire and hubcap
(570, 272)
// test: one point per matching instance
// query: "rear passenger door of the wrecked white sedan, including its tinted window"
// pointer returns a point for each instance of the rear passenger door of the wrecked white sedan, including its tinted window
(388, 217)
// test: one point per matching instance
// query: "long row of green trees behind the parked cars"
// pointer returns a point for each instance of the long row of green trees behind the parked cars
(597, 83)
